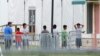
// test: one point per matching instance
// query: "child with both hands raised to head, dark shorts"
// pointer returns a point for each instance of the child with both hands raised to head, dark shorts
(78, 28)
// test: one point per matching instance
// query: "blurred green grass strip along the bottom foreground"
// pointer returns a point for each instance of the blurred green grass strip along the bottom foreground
(40, 53)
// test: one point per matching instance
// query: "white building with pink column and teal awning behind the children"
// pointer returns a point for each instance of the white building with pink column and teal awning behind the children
(38, 13)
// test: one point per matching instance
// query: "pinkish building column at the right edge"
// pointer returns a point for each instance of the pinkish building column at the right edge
(96, 22)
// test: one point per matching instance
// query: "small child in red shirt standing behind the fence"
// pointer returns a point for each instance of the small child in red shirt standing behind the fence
(18, 38)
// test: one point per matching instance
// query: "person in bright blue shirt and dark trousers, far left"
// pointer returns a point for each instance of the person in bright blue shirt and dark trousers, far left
(8, 35)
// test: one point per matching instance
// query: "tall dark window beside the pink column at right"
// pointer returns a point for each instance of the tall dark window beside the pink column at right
(89, 17)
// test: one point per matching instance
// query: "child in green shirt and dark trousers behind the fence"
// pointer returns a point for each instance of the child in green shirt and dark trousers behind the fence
(64, 35)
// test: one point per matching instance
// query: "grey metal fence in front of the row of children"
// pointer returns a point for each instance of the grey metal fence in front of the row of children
(37, 43)
